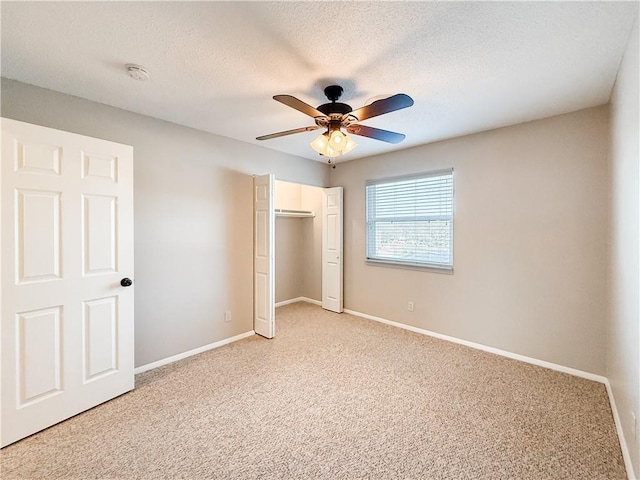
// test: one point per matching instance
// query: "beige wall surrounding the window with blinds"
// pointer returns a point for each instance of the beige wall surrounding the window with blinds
(530, 249)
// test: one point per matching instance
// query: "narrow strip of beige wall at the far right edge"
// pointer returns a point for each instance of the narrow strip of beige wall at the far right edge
(623, 355)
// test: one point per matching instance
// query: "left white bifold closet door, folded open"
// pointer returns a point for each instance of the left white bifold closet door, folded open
(264, 256)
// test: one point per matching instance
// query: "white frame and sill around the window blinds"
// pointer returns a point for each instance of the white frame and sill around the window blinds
(434, 267)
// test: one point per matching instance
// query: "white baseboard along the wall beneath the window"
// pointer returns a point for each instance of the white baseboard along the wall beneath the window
(478, 346)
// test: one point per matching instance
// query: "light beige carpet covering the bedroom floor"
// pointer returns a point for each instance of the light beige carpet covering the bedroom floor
(336, 397)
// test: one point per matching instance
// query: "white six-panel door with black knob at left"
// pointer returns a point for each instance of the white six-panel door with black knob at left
(67, 241)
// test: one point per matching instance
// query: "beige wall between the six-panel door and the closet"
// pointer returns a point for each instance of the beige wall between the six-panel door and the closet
(193, 216)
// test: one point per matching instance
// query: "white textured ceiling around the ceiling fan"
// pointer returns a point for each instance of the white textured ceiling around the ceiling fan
(469, 66)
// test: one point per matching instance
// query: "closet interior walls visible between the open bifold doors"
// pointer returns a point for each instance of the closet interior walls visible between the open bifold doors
(298, 242)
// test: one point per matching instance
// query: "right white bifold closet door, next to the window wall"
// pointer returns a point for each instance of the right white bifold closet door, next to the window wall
(332, 249)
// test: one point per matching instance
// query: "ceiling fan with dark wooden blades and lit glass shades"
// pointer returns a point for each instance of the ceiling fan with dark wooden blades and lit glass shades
(335, 116)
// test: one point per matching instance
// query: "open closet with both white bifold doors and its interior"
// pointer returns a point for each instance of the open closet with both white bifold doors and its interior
(297, 248)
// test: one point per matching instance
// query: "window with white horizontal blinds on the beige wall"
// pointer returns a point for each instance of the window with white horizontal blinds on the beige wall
(410, 220)
